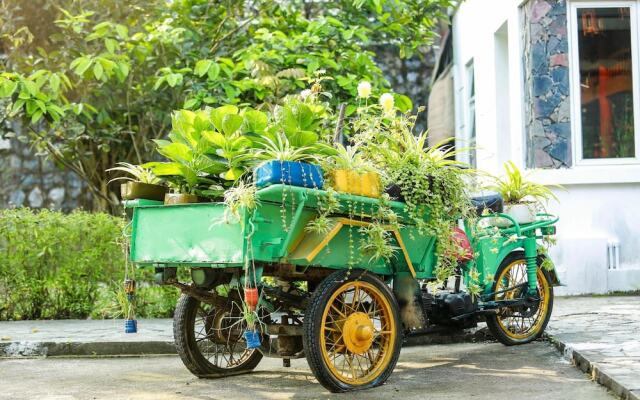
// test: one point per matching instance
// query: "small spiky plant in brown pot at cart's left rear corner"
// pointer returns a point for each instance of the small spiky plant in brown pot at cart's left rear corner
(141, 184)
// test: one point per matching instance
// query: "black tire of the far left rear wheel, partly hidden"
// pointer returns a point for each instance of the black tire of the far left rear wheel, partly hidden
(192, 357)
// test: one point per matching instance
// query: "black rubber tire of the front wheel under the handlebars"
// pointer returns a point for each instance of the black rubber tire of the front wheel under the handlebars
(492, 320)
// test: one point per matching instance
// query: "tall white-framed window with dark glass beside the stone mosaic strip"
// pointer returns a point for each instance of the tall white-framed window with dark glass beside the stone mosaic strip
(605, 92)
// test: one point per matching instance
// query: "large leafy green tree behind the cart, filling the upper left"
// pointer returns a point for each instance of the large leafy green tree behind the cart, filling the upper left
(99, 83)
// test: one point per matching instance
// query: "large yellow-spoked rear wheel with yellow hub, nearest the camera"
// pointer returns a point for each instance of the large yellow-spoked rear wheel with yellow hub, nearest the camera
(352, 337)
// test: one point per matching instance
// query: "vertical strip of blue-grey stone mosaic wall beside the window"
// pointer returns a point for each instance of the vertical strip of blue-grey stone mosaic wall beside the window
(546, 69)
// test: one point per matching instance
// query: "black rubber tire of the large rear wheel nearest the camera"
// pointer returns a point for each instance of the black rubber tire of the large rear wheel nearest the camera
(313, 322)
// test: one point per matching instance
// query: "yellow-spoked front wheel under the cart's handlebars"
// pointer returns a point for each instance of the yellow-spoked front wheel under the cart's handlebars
(520, 324)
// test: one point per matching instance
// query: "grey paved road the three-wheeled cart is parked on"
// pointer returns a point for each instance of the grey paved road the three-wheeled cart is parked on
(475, 371)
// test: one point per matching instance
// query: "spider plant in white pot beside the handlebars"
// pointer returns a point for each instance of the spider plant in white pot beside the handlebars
(522, 197)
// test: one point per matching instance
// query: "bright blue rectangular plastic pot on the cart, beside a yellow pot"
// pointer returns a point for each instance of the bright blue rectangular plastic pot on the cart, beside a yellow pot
(294, 173)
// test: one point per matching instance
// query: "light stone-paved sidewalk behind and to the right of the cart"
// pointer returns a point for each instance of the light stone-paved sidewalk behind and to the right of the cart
(597, 334)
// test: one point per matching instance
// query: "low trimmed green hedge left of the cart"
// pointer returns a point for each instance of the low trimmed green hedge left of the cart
(56, 266)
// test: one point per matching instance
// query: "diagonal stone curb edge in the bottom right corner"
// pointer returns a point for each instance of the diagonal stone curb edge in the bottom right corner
(595, 370)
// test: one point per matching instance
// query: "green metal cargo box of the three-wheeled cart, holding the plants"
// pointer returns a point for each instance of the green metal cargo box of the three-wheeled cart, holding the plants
(196, 234)
